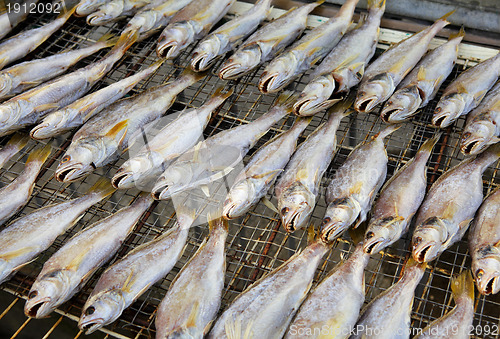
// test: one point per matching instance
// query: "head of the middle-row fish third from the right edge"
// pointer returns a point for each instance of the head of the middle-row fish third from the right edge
(380, 233)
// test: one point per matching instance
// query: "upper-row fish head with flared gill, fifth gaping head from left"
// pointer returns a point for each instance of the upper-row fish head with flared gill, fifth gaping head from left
(314, 97)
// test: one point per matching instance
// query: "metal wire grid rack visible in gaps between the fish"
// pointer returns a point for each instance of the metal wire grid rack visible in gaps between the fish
(256, 243)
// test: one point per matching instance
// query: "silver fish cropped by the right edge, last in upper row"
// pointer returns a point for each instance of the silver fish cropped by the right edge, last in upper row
(483, 124)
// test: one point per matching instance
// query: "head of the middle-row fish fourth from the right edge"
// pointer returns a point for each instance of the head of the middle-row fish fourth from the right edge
(340, 214)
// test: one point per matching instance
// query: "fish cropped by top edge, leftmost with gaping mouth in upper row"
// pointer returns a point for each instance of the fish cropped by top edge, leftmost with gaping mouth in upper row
(192, 23)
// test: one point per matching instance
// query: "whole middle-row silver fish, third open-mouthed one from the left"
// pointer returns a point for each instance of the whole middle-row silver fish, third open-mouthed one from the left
(217, 156)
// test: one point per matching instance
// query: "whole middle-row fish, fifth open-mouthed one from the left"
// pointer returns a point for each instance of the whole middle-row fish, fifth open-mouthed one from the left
(298, 187)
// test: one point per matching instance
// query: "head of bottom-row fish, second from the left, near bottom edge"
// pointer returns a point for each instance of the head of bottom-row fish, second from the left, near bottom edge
(100, 310)
